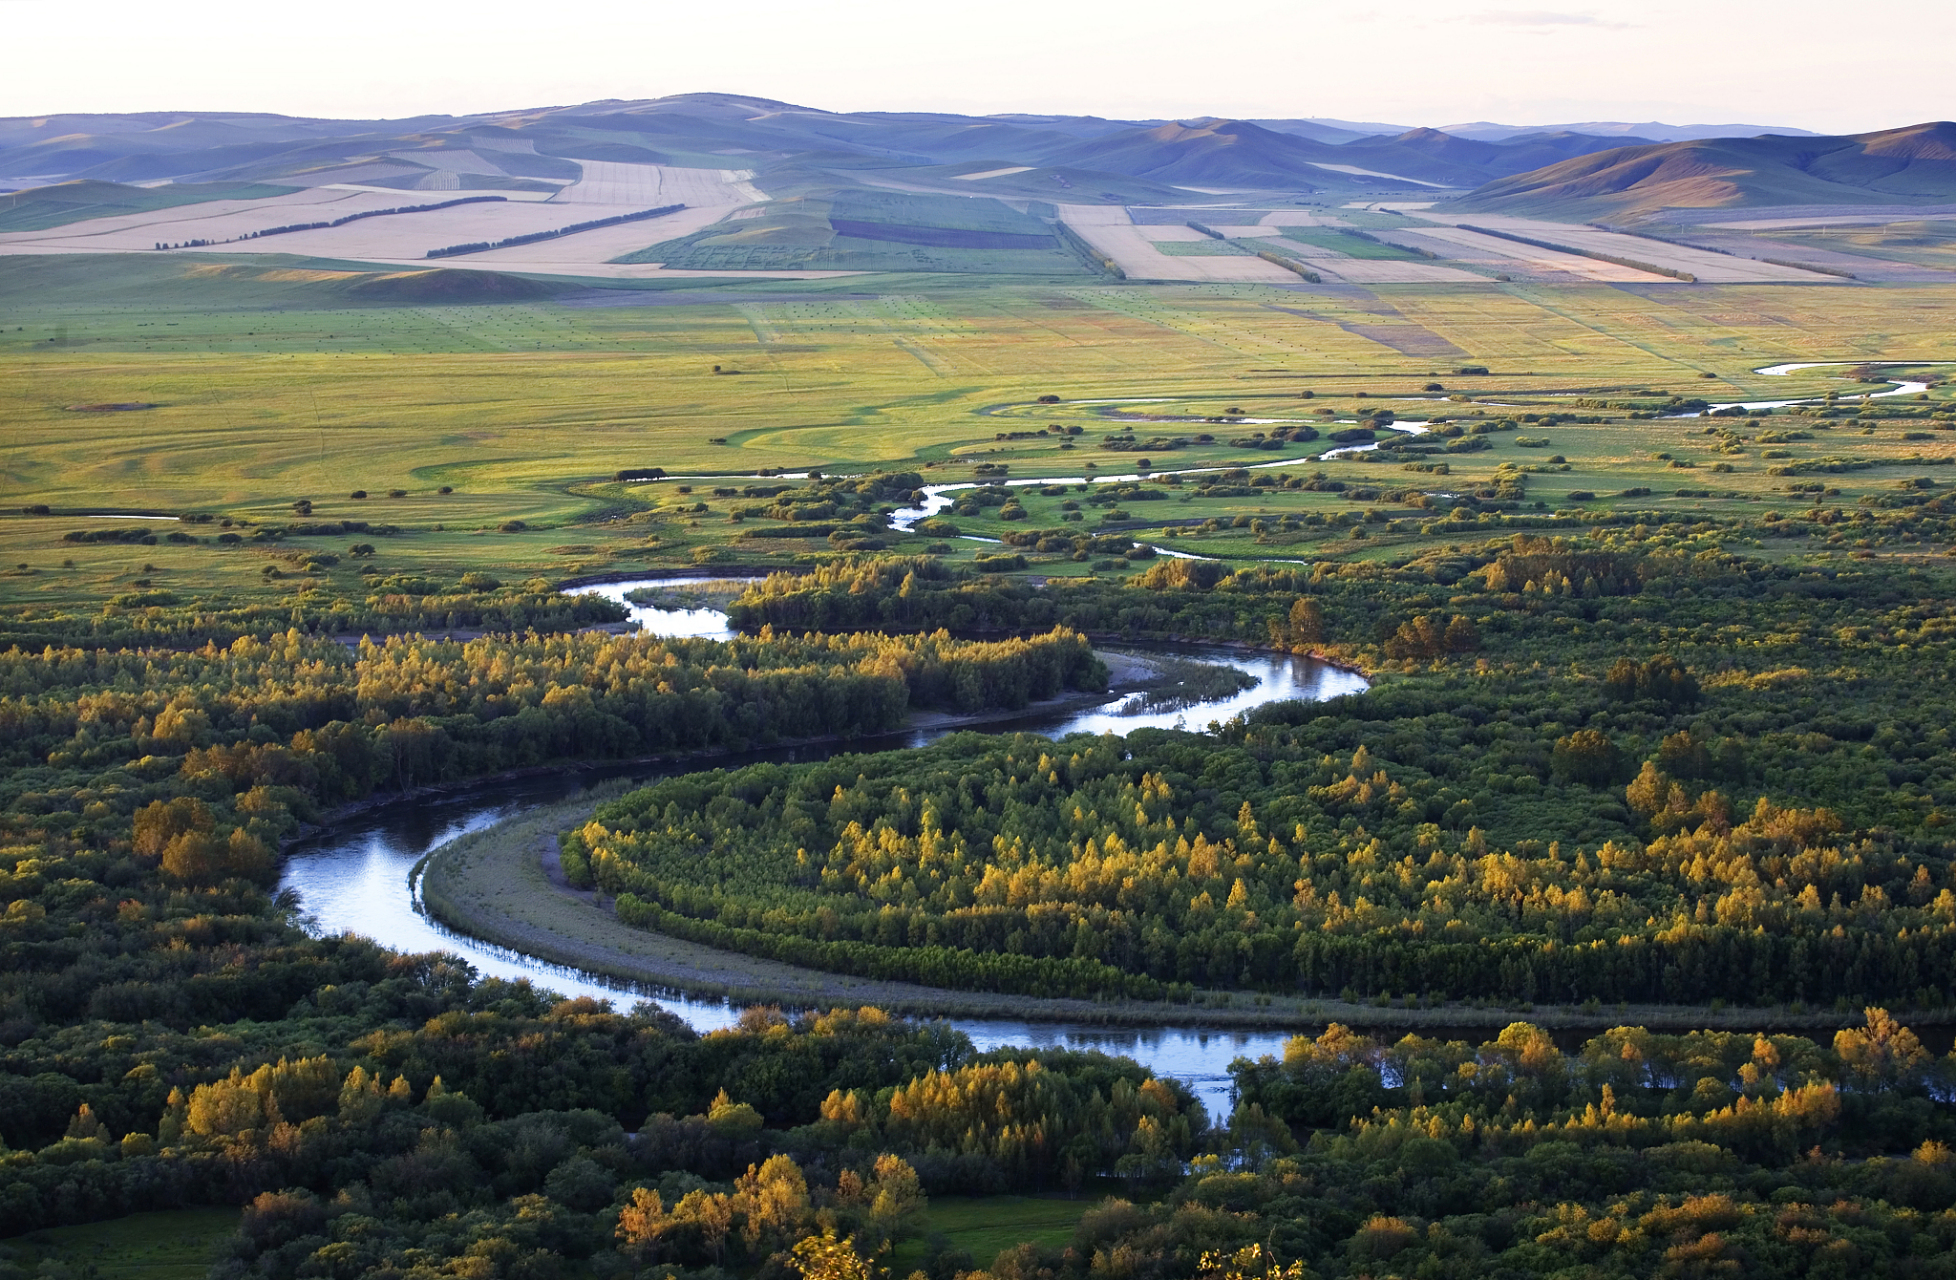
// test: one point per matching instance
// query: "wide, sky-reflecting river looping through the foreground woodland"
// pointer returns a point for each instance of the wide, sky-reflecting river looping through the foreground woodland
(359, 878)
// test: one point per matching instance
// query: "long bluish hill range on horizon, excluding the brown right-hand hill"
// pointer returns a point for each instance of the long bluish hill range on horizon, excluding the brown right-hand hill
(764, 134)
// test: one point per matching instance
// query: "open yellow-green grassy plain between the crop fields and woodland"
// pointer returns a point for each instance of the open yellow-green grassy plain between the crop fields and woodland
(283, 385)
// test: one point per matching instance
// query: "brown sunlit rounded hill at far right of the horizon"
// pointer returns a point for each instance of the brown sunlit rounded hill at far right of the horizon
(1889, 167)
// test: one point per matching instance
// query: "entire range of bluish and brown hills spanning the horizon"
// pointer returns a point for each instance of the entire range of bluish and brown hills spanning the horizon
(1591, 169)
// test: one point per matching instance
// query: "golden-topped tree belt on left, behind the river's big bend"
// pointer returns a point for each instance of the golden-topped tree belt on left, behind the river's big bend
(298, 721)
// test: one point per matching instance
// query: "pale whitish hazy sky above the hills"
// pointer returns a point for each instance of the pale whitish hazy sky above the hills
(1806, 64)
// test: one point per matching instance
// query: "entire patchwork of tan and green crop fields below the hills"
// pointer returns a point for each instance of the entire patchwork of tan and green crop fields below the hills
(1415, 242)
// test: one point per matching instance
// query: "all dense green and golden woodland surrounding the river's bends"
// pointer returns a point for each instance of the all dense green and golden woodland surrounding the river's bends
(1623, 766)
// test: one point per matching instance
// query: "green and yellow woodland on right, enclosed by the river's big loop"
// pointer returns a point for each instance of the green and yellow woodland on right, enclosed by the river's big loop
(1615, 772)
